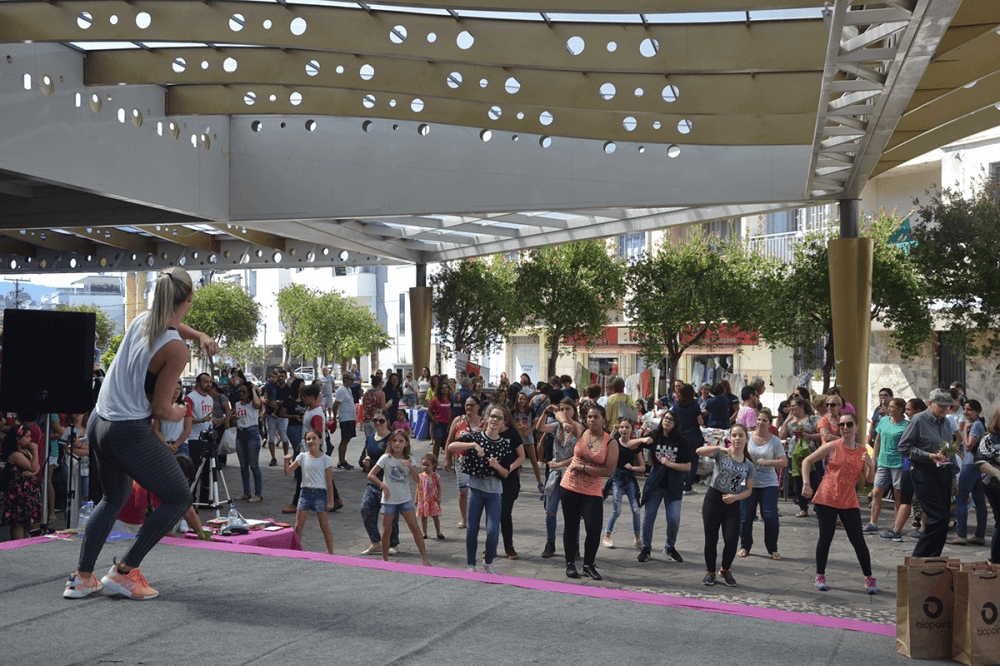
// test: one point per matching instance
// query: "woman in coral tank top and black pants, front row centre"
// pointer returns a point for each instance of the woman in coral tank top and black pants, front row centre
(582, 490)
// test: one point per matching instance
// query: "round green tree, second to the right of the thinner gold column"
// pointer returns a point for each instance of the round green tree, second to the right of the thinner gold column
(567, 291)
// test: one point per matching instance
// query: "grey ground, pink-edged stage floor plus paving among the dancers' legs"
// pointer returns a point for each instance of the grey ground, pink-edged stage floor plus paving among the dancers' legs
(240, 607)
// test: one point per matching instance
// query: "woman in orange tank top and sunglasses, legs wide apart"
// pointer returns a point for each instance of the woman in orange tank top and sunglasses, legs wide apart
(837, 497)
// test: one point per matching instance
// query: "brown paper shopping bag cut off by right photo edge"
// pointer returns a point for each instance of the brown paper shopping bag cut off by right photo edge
(976, 637)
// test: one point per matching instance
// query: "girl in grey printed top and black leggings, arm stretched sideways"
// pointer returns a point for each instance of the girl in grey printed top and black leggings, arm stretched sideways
(732, 482)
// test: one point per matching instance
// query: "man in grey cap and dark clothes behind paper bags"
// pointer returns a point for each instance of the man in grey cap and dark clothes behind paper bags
(922, 442)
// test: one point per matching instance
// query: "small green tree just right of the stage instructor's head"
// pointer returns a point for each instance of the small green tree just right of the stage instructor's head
(225, 312)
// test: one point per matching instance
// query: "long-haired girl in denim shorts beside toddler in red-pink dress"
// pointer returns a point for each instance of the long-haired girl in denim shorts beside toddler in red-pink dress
(396, 498)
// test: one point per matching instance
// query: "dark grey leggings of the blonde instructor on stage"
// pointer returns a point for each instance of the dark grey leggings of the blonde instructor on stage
(128, 450)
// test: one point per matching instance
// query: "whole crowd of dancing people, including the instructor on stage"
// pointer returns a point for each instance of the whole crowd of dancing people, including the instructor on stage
(937, 458)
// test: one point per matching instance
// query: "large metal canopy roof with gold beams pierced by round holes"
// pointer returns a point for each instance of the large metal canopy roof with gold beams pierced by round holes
(141, 134)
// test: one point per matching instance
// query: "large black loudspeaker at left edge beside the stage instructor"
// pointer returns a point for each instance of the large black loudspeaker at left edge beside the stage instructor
(48, 362)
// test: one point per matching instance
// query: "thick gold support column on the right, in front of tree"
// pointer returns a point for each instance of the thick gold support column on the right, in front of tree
(850, 260)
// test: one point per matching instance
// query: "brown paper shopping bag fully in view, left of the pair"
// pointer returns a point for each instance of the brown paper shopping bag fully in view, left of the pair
(925, 604)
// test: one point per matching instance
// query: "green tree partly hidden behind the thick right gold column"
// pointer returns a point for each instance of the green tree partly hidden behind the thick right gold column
(798, 295)
